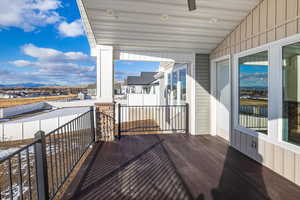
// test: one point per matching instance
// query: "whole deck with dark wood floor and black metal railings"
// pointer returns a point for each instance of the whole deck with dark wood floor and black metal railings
(154, 158)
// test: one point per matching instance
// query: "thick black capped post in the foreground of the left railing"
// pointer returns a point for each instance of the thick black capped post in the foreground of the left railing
(41, 166)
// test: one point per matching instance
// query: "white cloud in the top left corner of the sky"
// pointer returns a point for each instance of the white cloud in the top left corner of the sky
(28, 14)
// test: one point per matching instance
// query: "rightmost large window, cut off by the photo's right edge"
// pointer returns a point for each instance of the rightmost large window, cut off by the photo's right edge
(291, 93)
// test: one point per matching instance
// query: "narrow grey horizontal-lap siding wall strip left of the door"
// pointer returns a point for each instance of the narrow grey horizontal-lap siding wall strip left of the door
(202, 94)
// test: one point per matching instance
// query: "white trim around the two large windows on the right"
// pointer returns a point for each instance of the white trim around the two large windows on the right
(275, 90)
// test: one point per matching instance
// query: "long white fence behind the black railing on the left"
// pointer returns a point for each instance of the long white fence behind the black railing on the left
(25, 129)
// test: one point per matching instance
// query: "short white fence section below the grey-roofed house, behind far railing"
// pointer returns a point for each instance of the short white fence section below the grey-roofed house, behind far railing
(142, 99)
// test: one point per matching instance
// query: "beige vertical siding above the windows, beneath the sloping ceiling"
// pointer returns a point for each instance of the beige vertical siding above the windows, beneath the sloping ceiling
(270, 20)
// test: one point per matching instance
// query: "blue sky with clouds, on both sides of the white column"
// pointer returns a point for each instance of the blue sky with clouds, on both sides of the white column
(43, 41)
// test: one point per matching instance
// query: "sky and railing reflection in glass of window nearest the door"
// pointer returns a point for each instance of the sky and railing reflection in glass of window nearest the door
(253, 92)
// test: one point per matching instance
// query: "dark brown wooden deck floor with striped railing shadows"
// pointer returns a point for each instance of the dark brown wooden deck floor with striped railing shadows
(175, 167)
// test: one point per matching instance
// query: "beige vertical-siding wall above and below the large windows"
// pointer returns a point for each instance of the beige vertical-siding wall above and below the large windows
(269, 21)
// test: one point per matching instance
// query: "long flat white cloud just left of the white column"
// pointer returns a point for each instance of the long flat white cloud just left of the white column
(48, 54)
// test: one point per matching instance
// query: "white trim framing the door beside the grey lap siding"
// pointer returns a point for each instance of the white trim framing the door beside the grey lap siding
(213, 88)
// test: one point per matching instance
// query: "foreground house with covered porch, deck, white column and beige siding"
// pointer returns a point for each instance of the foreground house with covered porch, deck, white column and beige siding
(230, 78)
